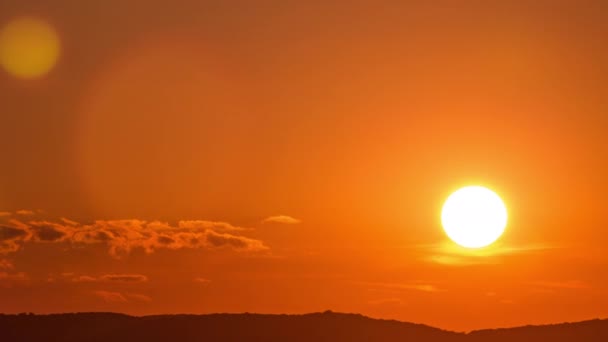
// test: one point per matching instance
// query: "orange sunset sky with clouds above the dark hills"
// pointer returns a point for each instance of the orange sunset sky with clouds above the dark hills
(282, 156)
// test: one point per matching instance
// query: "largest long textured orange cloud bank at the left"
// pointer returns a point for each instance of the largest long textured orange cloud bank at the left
(123, 236)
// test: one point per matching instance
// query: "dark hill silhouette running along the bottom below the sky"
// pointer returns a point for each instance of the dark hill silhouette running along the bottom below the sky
(327, 326)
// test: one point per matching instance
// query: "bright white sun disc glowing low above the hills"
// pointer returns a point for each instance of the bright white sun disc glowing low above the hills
(474, 217)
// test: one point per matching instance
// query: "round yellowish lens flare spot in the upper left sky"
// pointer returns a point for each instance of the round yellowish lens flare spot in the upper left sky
(29, 48)
